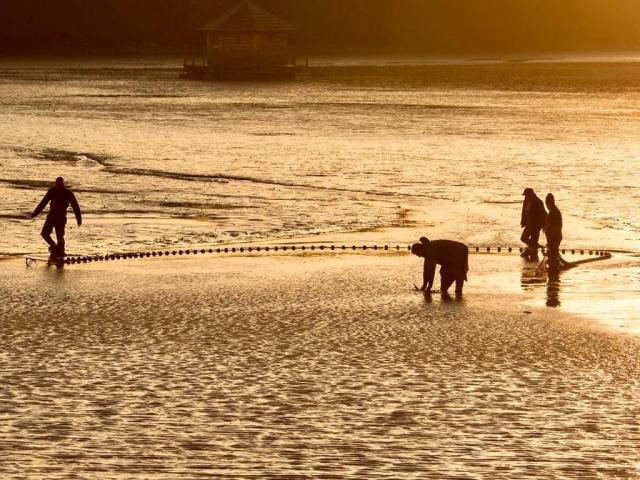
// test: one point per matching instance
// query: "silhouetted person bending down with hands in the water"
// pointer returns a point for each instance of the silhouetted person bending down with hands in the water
(453, 257)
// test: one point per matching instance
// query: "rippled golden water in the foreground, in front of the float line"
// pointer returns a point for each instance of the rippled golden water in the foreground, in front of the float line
(305, 367)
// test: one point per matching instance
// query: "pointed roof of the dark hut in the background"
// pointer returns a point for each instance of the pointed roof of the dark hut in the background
(247, 17)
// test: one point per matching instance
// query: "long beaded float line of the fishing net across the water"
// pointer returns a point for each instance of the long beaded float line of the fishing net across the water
(227, 250)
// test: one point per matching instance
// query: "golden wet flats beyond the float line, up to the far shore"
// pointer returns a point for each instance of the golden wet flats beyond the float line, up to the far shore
(159, 161)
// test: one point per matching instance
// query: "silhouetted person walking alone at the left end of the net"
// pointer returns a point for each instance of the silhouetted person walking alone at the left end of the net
(60, 198)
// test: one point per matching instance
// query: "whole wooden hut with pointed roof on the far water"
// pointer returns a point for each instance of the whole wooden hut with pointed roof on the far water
(246, 42)
